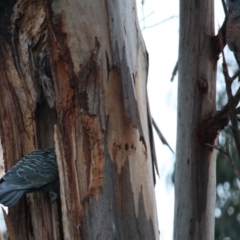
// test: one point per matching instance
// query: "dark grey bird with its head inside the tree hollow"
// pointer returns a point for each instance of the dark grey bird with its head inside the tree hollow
(35, 171)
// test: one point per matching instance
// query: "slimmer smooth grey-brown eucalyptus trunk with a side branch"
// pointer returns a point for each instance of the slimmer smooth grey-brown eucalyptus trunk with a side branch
(195, 164)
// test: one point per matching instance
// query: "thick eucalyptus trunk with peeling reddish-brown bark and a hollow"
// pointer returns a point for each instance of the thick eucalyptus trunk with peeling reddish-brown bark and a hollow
(73, 76)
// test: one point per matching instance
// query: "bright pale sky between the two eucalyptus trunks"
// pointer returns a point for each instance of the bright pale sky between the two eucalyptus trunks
(162, 45)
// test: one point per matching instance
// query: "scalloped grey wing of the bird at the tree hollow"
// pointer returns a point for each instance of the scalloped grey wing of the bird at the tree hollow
(34, 170)
